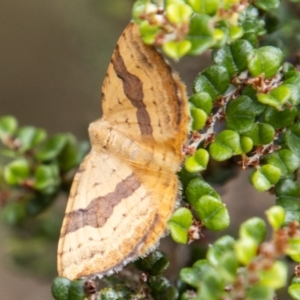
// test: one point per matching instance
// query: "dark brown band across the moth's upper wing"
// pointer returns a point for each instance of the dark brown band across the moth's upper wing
(133, 89)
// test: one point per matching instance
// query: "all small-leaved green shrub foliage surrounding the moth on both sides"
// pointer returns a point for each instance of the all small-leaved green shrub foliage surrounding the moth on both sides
(244, 108)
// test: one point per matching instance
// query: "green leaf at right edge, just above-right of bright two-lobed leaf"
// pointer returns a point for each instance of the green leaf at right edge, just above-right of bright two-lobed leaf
(285, 160)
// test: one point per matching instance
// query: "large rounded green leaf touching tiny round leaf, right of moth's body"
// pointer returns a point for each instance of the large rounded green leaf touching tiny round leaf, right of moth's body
(226, 144)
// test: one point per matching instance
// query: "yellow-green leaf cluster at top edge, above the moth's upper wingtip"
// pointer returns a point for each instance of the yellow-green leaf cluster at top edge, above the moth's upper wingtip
(211, 24)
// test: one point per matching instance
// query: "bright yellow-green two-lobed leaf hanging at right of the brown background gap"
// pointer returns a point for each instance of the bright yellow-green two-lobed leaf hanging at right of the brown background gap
(265, 177)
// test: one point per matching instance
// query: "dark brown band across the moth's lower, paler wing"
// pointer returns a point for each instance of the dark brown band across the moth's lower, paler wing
(100, 209)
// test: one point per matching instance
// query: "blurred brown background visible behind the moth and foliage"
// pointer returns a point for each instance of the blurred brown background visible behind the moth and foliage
(53, 58)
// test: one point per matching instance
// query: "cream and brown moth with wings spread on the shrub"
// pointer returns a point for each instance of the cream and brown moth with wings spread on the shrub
(126, 188)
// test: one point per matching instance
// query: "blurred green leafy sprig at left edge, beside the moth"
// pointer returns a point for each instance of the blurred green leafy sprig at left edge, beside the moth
(35, 169)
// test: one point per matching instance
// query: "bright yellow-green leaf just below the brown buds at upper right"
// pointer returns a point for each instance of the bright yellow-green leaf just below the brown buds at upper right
(276, 98)
